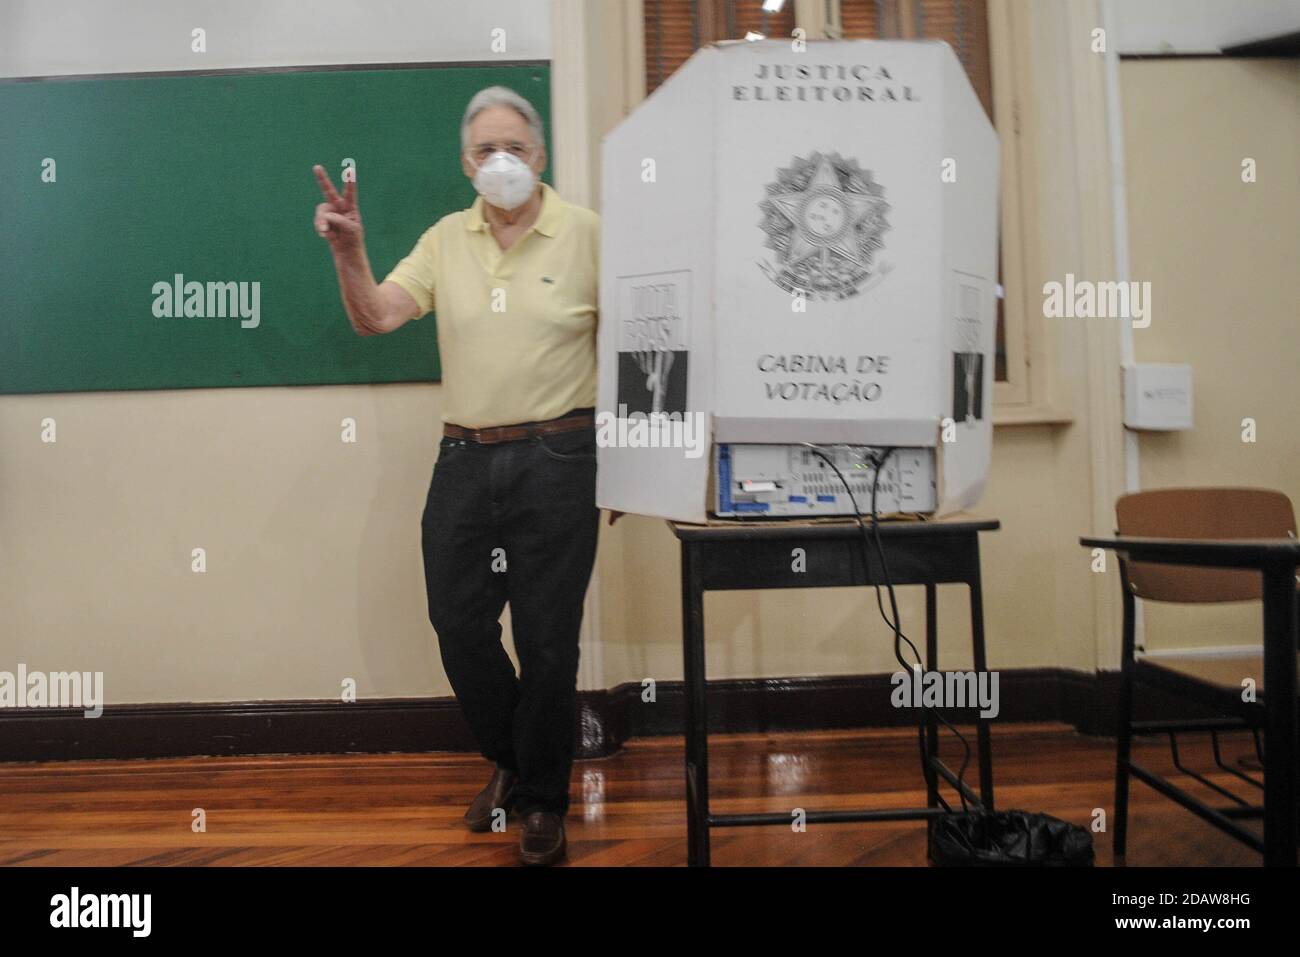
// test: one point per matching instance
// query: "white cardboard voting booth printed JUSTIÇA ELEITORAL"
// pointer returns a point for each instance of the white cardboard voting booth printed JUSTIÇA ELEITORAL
(800, 248)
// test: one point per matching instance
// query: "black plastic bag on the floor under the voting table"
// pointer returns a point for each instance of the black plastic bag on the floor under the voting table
(1008, 839)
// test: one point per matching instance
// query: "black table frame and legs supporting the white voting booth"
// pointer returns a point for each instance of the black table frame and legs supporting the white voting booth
(757, 556)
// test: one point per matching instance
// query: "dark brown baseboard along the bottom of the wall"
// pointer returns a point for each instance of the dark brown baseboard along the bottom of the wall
(606, 718)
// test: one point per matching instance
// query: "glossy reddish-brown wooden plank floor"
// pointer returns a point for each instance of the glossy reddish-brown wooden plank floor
(405, 809)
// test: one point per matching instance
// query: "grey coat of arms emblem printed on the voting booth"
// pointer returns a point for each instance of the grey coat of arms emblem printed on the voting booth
(824, 219)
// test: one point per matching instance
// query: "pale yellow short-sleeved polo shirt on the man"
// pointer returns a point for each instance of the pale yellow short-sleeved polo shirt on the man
(517, 328)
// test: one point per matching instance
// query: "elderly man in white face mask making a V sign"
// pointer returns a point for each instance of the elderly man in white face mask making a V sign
(512, 508)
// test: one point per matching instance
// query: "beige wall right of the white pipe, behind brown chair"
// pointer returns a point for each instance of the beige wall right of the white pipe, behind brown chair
(1224, 262)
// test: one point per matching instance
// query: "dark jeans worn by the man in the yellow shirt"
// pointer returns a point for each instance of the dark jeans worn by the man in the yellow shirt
(514, 522)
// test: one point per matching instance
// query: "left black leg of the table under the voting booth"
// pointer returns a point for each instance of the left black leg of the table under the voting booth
(697, 711)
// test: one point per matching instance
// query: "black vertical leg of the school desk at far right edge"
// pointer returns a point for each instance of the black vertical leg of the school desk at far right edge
(1280, 722)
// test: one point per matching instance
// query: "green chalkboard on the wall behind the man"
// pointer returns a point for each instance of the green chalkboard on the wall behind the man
(210, 177)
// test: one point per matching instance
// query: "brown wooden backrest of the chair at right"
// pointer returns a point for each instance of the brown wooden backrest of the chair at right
(1202, 514)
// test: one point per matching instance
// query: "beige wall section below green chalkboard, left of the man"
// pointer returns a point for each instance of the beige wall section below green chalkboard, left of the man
(313, 544)
